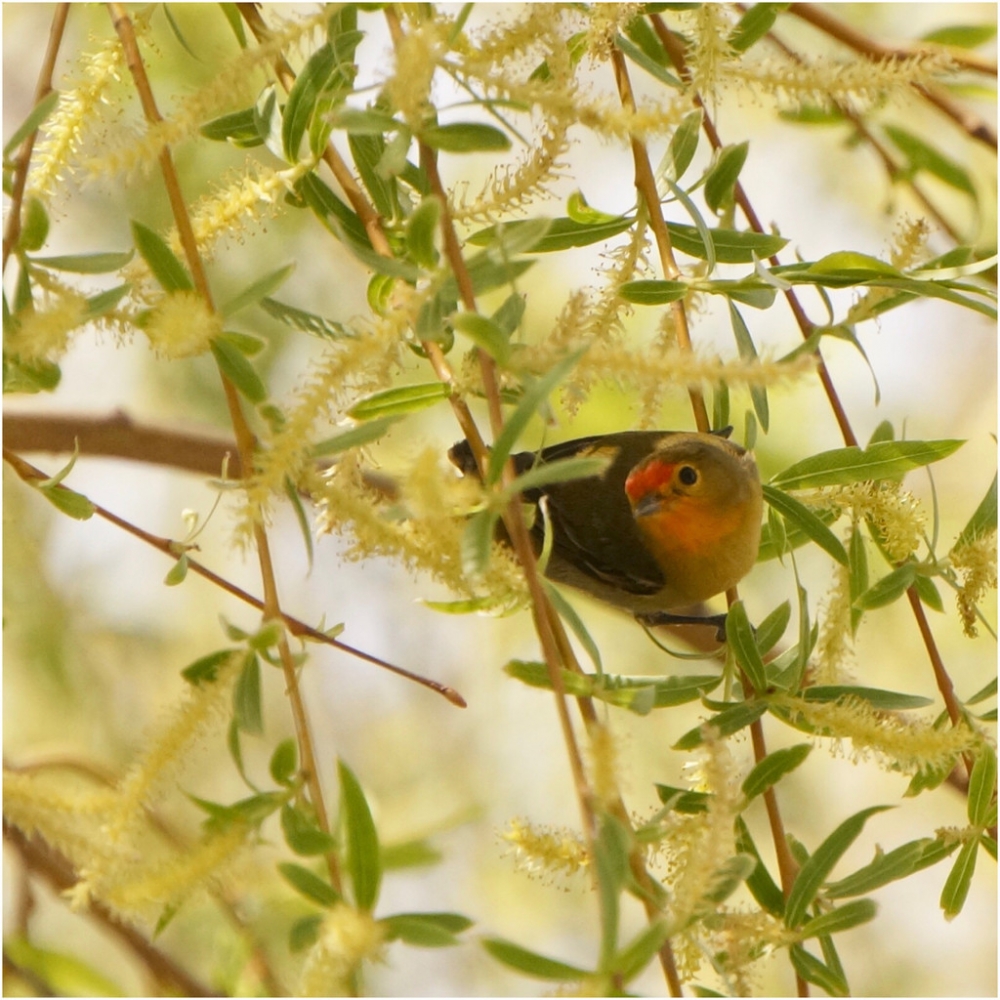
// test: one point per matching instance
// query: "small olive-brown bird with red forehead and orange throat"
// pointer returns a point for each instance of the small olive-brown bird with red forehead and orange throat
(673, 520)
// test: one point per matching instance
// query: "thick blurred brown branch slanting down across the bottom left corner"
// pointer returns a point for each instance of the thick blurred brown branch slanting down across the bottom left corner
(44, 861)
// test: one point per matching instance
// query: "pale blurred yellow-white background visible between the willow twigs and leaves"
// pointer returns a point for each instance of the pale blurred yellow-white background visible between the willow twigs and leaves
(94, 643)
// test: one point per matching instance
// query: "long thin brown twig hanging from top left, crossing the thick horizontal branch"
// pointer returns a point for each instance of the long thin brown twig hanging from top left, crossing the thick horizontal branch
(245, 441)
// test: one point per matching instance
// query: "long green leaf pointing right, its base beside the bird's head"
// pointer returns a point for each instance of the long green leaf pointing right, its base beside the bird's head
(844, 466)
